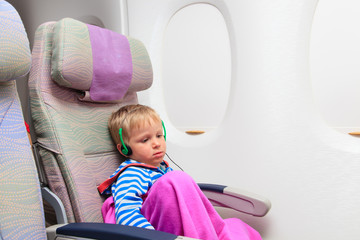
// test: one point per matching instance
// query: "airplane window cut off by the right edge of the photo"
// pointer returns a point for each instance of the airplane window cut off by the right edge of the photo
(334, 61)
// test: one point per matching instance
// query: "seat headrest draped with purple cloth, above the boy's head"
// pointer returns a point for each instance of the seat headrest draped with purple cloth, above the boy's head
(103, 64)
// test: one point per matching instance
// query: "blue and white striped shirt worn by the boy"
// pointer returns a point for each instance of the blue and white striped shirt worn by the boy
(129, 188)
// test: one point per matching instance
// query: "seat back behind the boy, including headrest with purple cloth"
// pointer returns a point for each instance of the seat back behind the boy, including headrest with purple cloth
(81, 74)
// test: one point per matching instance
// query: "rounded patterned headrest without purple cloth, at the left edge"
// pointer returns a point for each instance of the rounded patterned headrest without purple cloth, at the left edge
(15, 56)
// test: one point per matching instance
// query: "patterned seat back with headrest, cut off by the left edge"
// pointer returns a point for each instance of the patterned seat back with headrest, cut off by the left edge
(21, 215)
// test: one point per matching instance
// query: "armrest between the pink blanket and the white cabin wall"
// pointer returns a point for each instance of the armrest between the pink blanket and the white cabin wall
(236, 199)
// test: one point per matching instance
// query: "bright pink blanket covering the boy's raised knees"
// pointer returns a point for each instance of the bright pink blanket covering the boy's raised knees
(175, 204)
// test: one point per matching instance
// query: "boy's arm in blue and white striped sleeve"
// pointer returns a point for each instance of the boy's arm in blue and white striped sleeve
(129, 188)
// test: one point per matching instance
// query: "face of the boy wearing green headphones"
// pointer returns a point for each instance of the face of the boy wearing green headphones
(148, 144)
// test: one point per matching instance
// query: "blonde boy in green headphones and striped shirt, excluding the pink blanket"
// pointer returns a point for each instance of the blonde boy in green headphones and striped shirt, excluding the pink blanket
(138, 133)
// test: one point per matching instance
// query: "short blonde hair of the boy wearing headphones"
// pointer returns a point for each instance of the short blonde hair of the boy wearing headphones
(129, 117)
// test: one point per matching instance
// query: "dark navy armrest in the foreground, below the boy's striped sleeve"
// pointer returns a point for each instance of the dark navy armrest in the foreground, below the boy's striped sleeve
(104, 231)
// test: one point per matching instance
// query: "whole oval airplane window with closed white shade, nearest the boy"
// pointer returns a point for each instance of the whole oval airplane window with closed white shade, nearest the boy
(196, 68)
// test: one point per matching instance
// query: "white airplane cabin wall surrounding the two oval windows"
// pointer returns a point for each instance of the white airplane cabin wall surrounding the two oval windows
(273, 140)
